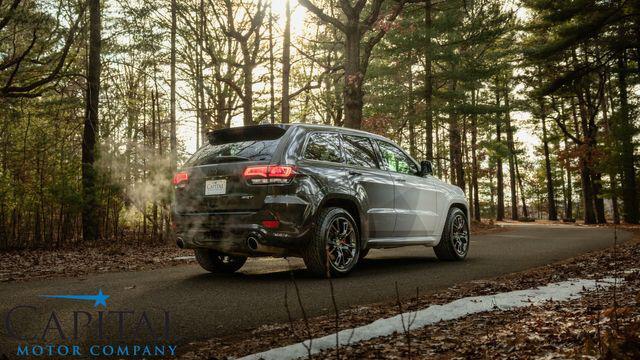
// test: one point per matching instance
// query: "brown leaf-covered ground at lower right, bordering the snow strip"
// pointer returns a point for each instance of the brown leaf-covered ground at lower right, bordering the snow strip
(599, 323)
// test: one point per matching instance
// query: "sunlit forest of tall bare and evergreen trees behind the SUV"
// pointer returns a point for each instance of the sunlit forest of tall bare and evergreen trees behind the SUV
(530, 106)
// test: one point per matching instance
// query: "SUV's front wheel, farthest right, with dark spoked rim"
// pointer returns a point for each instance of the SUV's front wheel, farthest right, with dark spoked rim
(454, 243)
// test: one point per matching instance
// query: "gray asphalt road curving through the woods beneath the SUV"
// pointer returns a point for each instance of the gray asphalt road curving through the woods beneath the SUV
(204, 305)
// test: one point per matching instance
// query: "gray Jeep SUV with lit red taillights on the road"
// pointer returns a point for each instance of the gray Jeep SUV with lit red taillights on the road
(325, 194)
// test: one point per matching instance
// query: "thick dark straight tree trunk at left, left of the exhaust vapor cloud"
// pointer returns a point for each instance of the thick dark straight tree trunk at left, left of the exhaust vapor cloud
(90, 223)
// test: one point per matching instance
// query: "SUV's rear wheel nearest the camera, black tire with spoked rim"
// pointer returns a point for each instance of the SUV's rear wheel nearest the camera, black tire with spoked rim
(332, 236)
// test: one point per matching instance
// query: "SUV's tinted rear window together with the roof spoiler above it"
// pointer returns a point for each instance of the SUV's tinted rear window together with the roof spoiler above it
(238, 144)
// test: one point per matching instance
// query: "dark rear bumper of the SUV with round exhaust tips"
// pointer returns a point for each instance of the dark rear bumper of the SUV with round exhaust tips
(233, 232)
